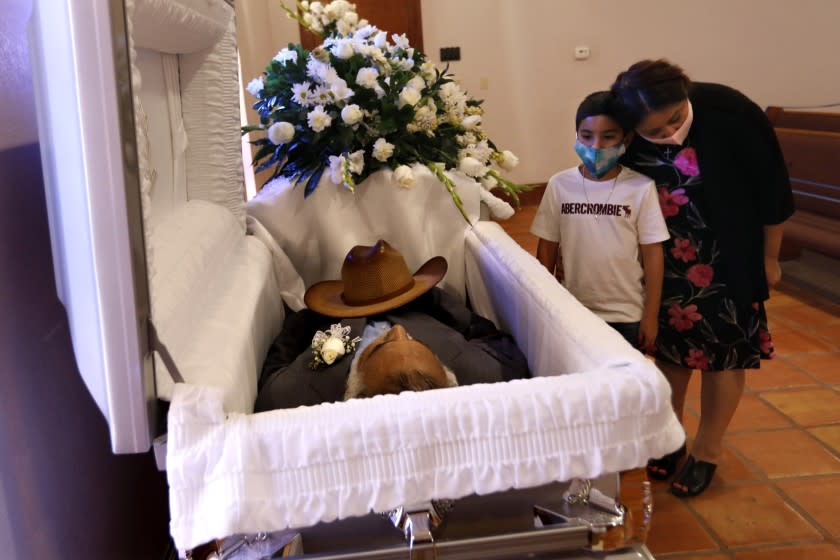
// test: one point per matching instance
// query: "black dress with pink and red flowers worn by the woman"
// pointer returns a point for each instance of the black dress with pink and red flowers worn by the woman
(700, 326)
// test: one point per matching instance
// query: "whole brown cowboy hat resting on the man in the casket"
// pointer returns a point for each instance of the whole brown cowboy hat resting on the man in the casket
(373, 280)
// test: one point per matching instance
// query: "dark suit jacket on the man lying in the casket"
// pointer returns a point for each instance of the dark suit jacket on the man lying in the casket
(468, 344)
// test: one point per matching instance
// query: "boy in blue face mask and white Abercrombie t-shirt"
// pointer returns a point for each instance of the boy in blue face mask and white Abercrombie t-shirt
(602, 213)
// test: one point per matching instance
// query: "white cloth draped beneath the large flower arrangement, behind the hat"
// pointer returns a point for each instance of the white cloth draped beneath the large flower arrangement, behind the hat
(421, 222)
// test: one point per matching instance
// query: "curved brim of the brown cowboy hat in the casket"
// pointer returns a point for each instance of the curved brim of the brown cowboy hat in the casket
(325, 297)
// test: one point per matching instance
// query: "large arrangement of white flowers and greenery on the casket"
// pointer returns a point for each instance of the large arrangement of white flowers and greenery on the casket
(359, 103)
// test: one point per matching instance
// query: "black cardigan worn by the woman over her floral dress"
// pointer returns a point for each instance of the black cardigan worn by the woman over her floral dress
(745, 181)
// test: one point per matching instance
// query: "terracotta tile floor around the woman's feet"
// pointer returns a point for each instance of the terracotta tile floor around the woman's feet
(776, 494)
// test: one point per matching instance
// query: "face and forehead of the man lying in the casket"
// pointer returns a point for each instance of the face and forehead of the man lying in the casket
(394, 362)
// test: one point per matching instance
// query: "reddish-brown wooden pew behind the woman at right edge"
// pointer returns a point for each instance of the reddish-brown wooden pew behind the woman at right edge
(811, 146)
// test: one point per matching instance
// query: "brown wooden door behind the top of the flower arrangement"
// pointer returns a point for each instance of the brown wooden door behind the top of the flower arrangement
(393, 16)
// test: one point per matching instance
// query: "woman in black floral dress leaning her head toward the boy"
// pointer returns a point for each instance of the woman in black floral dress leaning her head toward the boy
(724, 191)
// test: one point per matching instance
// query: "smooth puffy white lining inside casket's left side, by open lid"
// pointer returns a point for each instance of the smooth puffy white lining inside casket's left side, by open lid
(217, 302)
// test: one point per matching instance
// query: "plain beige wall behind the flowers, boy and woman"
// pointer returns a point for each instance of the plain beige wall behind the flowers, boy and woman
(778, 52)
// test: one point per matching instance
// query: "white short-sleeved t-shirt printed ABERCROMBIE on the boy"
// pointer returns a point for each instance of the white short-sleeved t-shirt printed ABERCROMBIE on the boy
(599, 229)
